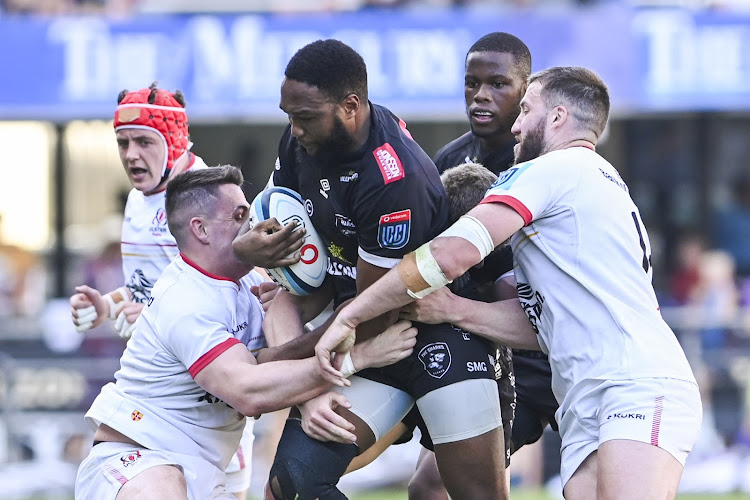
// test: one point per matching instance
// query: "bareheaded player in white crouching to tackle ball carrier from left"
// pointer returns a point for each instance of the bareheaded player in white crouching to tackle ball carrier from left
(169, 424)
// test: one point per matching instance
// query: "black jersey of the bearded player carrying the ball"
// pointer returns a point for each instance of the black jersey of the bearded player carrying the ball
(385, 199)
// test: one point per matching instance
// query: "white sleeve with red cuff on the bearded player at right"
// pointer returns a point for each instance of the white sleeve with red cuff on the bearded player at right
(531, 188)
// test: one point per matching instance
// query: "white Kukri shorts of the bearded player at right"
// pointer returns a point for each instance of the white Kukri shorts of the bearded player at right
(663, 412)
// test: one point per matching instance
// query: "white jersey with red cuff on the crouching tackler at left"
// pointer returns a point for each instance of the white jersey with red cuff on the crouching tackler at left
(191, 319)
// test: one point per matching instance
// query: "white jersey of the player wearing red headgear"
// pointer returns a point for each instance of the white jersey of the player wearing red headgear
(147, 245)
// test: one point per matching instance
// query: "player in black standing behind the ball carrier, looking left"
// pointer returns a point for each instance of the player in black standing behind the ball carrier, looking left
(497, 67)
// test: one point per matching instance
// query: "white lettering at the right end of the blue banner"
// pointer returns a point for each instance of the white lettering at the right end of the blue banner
(684, 57)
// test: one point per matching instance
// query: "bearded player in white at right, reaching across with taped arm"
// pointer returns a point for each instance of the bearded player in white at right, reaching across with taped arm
(630, 411)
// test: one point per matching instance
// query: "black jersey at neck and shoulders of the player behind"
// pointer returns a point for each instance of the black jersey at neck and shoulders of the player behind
(469, 148)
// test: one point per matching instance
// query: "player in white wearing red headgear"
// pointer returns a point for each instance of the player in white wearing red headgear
(151, 128)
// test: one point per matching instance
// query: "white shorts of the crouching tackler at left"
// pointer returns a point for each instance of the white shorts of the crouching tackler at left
(110, 465)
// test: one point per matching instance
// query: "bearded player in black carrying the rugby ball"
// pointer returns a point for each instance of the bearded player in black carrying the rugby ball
(374, 195)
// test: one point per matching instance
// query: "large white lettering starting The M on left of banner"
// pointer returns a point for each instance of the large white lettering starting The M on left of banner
(215, 59)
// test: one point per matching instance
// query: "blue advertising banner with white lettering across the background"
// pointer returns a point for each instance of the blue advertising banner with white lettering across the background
(230, 67)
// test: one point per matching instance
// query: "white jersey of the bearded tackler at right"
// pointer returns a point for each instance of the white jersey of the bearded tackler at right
(582, 264)
